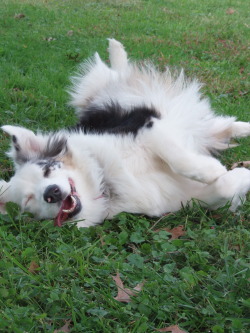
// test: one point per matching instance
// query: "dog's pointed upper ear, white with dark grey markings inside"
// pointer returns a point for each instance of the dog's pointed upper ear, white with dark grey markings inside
(25, 144)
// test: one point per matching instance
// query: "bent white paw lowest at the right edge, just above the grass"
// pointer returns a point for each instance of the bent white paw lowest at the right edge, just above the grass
(231, 187)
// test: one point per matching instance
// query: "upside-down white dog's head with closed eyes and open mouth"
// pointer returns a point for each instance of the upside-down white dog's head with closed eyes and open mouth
(42, 185)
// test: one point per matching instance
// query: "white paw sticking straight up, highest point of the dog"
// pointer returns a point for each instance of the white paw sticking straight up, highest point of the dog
(117, 55)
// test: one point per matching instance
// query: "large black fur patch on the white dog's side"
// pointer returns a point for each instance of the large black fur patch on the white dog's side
(111, 118)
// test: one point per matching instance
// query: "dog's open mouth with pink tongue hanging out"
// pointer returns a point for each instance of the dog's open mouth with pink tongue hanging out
(71, 206)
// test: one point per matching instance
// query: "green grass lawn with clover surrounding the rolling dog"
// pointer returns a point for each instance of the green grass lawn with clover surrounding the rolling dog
(199, 281)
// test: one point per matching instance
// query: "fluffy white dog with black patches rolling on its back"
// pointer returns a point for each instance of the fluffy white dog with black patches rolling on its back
(144, 143)
